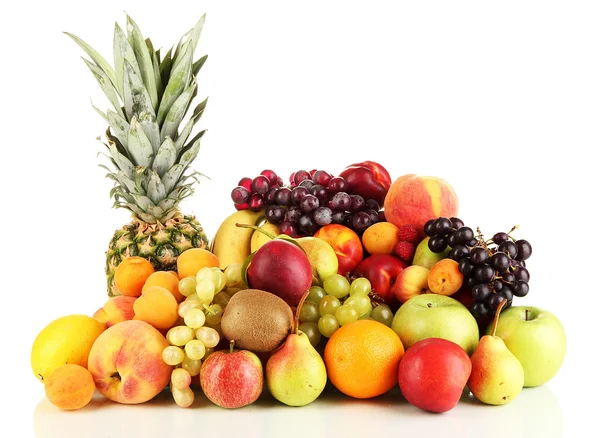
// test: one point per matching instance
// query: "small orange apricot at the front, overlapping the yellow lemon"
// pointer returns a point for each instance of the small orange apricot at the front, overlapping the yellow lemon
(70, 387)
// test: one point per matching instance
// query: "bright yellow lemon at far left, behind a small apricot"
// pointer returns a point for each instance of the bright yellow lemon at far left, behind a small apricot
(67, 339)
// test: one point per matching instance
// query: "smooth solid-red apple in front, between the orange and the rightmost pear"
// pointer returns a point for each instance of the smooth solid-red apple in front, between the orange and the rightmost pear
(433, 374)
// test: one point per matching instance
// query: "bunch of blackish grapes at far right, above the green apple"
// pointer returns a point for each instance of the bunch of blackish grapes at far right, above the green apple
(493, 269)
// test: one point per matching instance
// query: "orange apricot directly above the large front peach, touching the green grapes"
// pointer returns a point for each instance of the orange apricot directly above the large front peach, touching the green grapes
(156, 306)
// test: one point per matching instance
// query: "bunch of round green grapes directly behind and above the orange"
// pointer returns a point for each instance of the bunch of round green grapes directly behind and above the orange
(339, 302)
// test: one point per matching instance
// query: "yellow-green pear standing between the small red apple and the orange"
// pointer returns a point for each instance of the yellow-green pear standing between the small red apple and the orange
(295, 373)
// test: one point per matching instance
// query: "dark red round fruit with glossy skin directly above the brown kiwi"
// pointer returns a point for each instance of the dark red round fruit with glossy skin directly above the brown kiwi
(282, 268)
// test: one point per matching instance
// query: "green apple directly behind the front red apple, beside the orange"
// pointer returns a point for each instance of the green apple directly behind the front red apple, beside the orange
(436, 316)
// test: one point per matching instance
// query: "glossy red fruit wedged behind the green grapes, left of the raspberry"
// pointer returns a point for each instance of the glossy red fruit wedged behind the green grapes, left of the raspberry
(382, 270)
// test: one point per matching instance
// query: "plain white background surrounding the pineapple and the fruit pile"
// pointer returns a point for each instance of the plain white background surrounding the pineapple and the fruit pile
(501, 99)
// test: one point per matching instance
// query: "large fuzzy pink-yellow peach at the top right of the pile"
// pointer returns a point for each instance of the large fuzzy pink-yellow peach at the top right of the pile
(414, 199)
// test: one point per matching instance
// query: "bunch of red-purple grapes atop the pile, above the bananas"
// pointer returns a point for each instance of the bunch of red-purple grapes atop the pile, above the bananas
(310, 201)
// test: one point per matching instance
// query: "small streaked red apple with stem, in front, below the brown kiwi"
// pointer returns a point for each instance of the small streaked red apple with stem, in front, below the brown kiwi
(232, 378)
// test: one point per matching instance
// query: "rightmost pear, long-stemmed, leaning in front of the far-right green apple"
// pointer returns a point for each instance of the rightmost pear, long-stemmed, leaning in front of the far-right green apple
(497, 376)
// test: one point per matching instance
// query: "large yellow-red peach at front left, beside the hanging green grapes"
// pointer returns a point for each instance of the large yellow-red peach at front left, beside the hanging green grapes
(126, 362)
